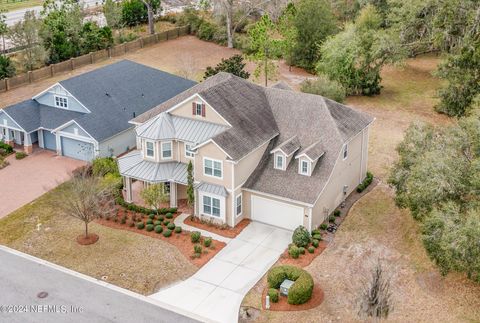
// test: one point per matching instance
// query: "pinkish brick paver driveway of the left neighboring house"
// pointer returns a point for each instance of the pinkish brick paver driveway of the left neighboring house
(24, 180)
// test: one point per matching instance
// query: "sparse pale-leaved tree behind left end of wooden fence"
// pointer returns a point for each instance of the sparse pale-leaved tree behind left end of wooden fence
(25, 34)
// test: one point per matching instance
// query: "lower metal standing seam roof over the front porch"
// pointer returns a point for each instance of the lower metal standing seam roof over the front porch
(133, 165)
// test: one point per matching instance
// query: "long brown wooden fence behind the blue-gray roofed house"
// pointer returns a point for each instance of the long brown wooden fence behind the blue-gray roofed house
(76, 62)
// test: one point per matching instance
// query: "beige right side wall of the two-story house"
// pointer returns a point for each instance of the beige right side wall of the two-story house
(350, 171)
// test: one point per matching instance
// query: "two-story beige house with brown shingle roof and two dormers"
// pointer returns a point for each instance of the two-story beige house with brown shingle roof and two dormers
(269, 154)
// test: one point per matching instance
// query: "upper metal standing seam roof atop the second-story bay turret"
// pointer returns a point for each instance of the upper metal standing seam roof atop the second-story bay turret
(167, 126)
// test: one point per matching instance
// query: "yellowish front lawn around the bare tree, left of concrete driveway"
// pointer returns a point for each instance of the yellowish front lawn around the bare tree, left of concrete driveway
(127, 259)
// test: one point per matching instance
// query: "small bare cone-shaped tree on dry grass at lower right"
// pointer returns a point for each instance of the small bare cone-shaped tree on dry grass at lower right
(375, 300)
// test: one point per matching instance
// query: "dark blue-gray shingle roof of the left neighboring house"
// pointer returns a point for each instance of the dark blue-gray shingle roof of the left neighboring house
(112, 93)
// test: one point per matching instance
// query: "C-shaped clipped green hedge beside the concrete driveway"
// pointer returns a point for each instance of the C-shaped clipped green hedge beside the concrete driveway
(301, 291)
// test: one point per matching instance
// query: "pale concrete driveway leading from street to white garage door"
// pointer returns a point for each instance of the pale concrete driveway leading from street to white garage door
(218, 288)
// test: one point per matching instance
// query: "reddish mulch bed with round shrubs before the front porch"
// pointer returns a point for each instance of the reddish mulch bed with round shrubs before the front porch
(180, 240)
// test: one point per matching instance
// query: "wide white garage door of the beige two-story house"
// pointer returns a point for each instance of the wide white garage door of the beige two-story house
(276, 213)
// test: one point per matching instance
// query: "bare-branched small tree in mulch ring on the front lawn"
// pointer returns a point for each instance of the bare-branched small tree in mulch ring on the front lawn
(87, 198)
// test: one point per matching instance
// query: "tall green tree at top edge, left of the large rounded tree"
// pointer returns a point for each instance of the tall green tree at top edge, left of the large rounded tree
(314, 22)
